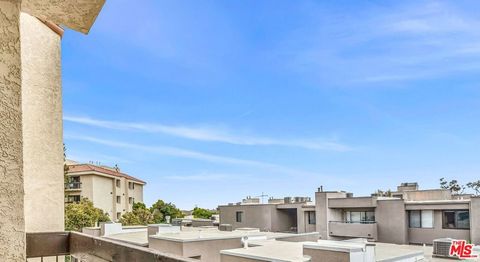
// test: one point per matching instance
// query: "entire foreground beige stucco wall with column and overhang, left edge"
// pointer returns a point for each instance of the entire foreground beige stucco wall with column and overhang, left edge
(30, 116)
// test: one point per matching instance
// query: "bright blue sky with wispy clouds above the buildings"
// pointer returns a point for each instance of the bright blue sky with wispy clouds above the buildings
(210, 101)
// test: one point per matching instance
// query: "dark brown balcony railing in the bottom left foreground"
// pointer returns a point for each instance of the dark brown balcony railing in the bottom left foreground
(89, 248)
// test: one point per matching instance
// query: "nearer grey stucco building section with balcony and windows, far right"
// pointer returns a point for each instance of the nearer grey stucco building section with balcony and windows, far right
(391, 217)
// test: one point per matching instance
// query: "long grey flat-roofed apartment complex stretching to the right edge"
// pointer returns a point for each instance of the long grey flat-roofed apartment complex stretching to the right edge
(408, 215)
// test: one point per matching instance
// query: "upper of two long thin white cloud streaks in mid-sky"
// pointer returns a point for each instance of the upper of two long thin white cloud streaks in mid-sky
(209, 134)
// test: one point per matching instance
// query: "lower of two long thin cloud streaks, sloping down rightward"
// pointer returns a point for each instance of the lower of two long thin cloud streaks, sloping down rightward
(190, 154)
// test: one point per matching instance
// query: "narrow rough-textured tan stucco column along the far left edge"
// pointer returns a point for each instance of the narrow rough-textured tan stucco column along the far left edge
(12, 224)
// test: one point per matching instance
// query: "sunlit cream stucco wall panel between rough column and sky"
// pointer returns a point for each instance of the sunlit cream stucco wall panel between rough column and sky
(42, 126)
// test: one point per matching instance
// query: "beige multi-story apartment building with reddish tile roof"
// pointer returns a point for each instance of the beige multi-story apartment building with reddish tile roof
(109, 189)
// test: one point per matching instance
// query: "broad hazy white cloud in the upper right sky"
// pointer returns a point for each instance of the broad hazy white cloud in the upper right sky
(385, 43)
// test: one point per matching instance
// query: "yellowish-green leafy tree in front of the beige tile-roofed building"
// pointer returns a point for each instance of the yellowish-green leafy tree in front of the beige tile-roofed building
(83, 214)
